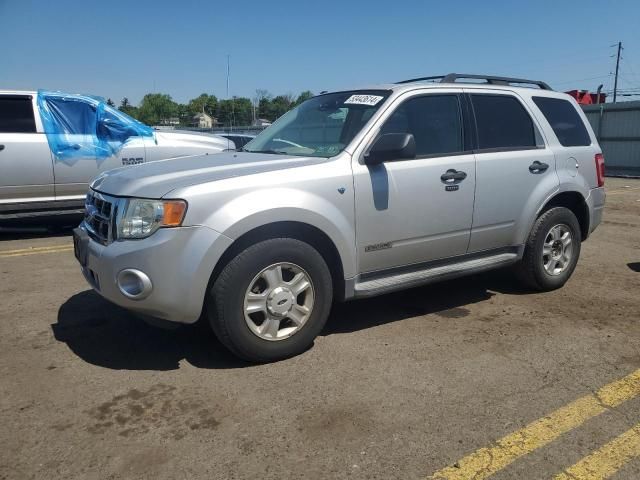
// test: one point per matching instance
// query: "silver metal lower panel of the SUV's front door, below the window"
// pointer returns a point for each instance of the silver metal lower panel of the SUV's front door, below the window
(404, 215)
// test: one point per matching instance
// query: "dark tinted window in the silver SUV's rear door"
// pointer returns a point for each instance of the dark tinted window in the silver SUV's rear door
(502, 122)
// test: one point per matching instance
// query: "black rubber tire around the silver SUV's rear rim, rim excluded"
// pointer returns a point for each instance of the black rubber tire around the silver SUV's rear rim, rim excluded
(531, 269)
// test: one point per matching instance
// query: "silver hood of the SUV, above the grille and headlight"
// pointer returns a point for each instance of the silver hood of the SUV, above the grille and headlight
(156, 179)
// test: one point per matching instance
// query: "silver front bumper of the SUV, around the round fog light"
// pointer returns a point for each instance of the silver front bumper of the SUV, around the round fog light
(178, 262)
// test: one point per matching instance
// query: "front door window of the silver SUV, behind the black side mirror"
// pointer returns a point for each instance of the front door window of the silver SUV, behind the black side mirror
(433, 120)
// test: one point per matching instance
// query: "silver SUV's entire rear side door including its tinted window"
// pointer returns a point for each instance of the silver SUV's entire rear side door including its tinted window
(514, 170)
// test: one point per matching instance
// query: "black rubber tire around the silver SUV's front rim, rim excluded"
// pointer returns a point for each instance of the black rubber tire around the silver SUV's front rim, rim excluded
(225, 302)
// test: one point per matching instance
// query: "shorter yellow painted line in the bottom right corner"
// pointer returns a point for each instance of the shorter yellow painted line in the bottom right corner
(607, 460)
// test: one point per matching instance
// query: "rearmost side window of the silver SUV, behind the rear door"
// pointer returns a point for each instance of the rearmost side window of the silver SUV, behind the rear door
(564, 120)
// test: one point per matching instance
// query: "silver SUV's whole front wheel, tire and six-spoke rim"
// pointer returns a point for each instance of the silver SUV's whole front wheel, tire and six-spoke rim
(272, 300)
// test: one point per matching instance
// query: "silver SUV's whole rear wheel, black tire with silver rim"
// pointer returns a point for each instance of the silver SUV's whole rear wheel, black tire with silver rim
(552, 250)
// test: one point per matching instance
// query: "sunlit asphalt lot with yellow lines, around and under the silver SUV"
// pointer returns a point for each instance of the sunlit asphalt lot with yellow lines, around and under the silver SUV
(472, 378)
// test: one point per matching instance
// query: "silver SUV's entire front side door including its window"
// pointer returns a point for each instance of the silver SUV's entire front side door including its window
(406, 212)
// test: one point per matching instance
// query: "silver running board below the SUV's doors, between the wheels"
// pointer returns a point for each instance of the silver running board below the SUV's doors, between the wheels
(400, 281)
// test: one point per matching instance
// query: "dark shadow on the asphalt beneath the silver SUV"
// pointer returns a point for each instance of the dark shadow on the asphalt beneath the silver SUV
(106, 335)
